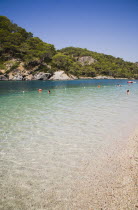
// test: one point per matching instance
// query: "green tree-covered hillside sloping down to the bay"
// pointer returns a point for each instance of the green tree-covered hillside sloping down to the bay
(19, 50)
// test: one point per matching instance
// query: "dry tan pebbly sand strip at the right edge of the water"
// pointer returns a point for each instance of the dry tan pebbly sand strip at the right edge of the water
(125, 196)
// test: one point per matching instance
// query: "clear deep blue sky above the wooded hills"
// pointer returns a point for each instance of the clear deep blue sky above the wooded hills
(105, 26)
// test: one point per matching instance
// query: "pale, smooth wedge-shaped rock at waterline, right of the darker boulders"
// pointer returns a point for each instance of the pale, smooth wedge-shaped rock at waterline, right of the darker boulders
(60, 75)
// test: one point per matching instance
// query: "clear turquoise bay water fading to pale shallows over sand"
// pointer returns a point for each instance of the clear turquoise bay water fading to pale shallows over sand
(46, 140)
